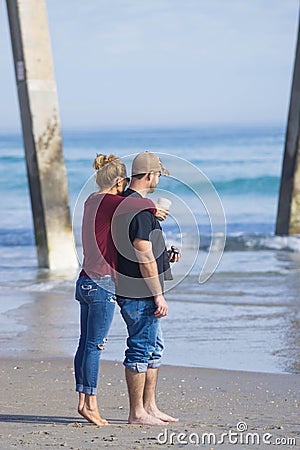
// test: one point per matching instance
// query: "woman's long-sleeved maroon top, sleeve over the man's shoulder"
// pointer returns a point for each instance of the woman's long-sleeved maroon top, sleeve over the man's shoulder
(99, 251)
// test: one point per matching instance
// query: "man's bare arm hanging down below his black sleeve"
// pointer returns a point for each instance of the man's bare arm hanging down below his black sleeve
(148, 268)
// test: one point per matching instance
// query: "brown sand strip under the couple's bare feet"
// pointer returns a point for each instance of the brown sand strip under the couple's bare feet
(38, 408)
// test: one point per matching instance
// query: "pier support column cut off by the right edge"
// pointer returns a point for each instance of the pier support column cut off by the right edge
(288, 215)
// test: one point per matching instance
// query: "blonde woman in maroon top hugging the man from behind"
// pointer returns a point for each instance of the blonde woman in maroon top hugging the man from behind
(95, 287)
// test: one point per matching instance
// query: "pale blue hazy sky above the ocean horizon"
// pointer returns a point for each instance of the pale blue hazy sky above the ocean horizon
(164, 63)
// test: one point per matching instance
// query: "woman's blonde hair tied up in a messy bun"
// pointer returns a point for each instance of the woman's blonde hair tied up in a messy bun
(109, 169)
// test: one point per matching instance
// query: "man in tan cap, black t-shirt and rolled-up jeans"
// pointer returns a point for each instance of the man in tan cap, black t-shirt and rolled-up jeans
(141, 269)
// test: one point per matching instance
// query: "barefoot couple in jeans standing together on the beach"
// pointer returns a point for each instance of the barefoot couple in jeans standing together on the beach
(125, 259)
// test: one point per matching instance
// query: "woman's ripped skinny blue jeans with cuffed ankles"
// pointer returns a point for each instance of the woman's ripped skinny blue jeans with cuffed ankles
(97, 305)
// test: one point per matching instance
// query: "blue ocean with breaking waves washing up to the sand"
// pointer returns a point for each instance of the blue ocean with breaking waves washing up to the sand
(224, 180)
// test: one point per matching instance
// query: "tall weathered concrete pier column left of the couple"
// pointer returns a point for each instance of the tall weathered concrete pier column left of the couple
(41, 133)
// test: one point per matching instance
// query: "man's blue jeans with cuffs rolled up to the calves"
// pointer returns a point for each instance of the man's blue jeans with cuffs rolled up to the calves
(145, 342)
